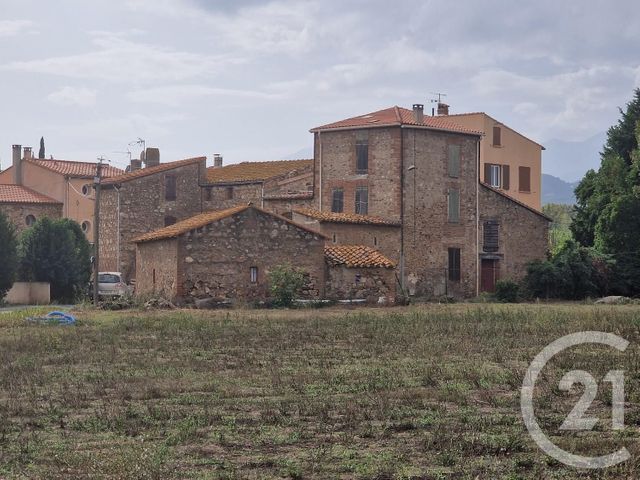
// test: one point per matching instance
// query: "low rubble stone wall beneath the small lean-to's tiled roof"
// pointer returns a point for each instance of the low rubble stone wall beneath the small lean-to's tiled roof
(370, 284)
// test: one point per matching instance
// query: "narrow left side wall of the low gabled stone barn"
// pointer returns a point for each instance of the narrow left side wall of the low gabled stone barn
(157, 268)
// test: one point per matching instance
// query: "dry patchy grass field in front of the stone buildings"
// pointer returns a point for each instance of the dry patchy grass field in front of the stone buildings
(416, 392)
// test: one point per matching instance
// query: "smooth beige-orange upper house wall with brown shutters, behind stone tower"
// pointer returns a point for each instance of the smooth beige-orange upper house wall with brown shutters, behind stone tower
(515, 150)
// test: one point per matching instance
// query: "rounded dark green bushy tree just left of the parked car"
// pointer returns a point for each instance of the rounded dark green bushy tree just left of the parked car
(57, 252)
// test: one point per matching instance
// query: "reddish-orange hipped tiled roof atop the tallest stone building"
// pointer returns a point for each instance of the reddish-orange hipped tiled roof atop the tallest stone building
(396, 116)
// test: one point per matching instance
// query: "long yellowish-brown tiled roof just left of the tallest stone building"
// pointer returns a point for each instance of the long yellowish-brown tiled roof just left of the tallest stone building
(255, 171)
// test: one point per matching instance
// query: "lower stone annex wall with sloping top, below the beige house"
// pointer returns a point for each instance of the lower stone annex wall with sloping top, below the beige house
(523, 235)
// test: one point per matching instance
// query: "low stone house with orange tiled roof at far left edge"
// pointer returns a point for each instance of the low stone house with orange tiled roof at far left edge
(23, 206)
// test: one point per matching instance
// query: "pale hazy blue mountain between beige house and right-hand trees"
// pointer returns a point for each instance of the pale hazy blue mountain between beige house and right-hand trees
(571, 160)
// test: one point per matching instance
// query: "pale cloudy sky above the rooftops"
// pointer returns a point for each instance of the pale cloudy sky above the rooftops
(248, 78)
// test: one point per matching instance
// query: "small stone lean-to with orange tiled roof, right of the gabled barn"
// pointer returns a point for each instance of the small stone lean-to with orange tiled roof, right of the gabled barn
(359, 272)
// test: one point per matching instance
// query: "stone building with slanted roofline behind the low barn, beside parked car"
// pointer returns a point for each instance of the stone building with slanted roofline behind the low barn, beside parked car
(144, 200)
